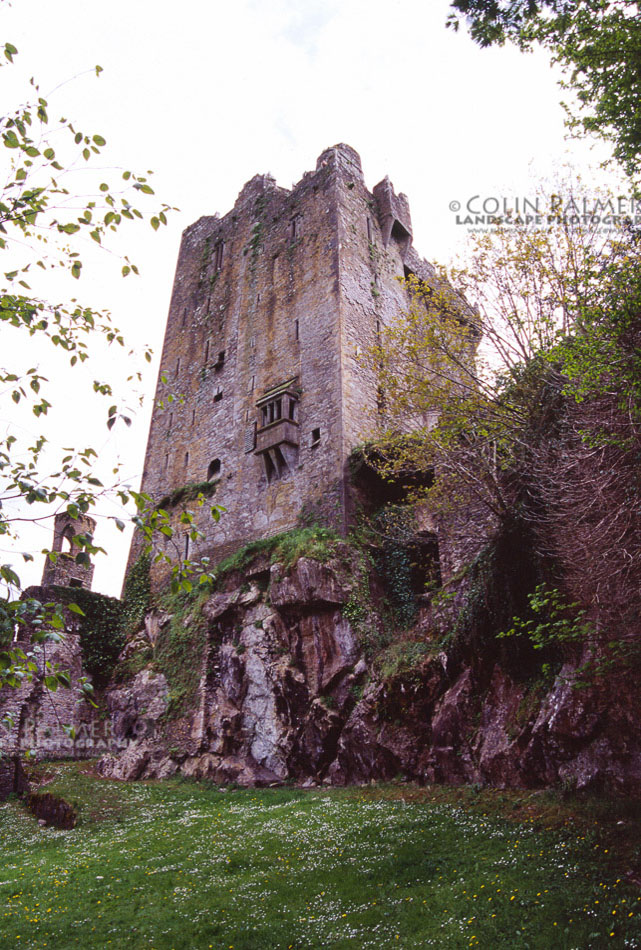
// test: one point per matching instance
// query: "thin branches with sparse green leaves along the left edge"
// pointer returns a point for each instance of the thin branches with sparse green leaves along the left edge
(46, 221)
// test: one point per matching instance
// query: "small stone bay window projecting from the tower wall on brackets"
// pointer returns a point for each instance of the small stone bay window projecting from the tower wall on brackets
(277, 434)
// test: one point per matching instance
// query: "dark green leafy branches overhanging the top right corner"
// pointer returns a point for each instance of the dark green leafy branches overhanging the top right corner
(598, 45)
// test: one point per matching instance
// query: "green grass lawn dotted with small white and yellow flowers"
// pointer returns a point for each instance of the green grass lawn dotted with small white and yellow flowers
(183, 865)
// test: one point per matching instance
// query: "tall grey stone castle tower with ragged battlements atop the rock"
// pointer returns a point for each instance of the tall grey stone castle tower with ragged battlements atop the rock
(261, 392)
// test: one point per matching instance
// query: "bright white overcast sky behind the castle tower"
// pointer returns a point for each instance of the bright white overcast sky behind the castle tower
(209, 93)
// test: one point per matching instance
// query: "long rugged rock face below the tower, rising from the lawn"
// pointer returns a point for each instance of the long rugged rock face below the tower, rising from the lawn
(285, 693)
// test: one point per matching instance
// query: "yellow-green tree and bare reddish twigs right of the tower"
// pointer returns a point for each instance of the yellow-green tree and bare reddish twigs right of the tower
(544, 425)
